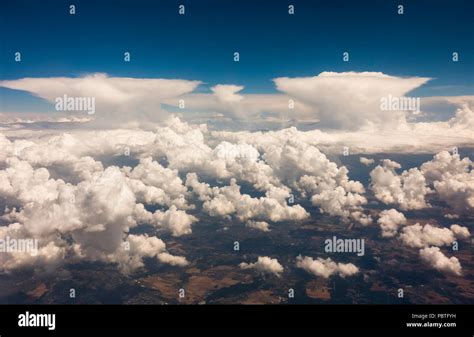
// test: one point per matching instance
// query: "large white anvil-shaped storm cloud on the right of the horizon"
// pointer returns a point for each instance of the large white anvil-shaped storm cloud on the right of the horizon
(352, 99)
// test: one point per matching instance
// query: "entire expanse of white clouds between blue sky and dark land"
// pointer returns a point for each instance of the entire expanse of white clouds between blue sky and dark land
(72, 191)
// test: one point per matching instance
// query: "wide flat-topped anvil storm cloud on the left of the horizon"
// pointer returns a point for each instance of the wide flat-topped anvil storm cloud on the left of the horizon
(118, 100)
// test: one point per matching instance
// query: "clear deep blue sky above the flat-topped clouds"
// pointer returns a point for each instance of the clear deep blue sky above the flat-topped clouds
(200, 45)
